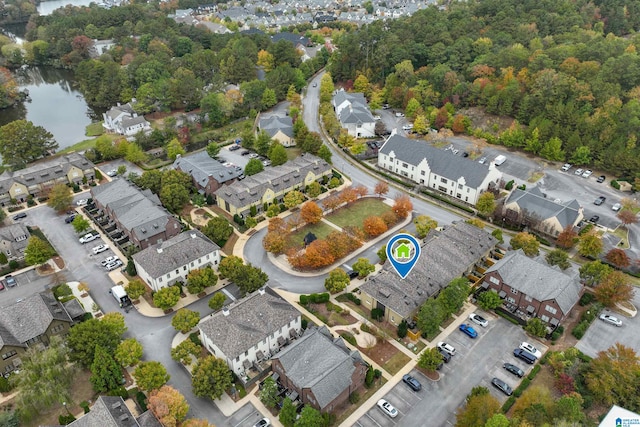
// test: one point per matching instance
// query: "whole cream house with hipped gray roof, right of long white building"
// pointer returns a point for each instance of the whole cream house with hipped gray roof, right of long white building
(531, 207)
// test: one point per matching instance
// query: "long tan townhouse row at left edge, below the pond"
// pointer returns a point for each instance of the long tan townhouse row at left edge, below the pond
(38, 178)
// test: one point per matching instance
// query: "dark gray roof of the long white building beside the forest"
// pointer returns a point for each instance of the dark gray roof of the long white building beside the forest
(442, 163)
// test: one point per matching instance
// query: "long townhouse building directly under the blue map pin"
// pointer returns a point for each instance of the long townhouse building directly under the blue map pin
(447, 254)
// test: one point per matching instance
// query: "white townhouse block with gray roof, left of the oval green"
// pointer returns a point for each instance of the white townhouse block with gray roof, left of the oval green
(170, 261)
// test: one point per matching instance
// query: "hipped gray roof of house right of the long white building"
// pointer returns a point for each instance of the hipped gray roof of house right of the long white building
(536, 205)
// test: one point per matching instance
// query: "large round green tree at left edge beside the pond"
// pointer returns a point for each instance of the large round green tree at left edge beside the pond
(22, 142)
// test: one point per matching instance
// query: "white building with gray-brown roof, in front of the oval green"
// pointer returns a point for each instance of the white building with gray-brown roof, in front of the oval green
(250, 330)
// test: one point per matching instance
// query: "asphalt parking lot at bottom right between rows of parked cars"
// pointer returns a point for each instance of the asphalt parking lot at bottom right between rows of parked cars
(476, 362)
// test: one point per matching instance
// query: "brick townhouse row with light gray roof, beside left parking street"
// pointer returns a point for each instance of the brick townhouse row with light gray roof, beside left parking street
(137, 213)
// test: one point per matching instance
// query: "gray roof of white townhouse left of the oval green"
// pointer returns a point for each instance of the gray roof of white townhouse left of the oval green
(177, 251)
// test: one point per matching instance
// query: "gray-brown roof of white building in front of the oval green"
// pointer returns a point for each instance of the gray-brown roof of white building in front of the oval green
(249, 321)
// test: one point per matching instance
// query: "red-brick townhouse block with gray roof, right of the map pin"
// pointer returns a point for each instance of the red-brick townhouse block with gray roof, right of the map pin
(532, 288)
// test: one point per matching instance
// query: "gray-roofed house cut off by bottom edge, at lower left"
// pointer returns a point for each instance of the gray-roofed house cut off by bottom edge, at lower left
(112, 411)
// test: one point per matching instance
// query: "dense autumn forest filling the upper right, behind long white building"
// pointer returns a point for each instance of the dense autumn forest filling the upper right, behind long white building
(567, 71)
